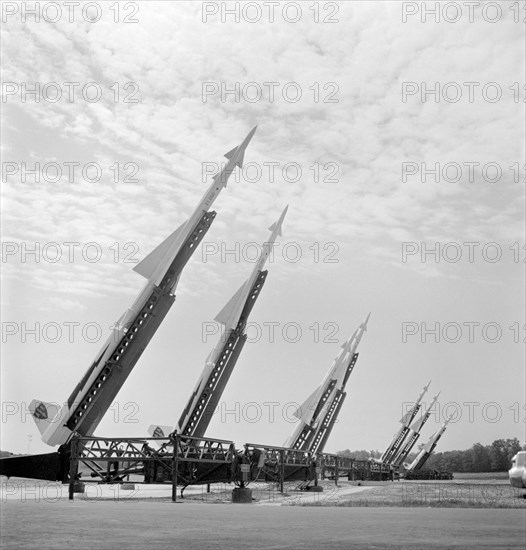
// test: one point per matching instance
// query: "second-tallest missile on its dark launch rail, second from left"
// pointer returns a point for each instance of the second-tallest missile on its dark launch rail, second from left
(220, 363)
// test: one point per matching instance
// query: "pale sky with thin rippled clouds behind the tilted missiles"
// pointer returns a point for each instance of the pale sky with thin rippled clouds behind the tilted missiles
(397, 141)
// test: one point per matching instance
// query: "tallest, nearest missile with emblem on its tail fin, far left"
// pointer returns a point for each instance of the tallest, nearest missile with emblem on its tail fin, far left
(130, 335)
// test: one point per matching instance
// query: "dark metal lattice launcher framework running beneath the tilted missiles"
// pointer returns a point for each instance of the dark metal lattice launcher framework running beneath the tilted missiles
(186, 460)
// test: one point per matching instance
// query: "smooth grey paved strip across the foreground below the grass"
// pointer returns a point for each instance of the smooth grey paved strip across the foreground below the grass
(131, 524)
